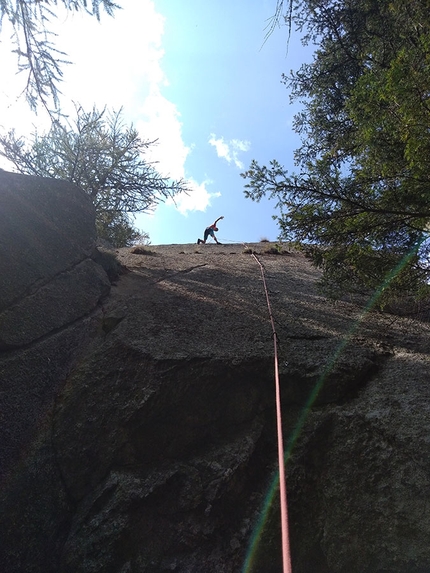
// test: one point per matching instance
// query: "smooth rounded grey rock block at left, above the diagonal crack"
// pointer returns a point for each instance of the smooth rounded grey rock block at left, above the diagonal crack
(46, 227)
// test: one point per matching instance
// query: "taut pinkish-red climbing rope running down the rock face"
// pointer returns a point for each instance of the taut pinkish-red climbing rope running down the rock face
(286, 558)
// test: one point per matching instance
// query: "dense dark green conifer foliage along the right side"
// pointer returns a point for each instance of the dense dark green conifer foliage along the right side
(359, 202)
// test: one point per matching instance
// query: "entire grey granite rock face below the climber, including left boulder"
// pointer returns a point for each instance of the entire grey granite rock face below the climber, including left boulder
(139, 422)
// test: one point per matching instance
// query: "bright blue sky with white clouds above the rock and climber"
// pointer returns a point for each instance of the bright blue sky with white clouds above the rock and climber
(202, 79)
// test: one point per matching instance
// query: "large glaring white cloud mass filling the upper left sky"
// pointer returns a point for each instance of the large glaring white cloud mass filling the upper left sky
(116, 63)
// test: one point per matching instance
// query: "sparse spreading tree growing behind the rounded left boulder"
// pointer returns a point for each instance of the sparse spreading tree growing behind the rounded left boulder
(105, 158)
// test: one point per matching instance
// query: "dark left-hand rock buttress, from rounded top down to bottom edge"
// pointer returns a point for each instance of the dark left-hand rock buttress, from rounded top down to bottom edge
(50, 289)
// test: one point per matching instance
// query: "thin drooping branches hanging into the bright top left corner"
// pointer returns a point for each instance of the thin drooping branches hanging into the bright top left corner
(38, 56)
